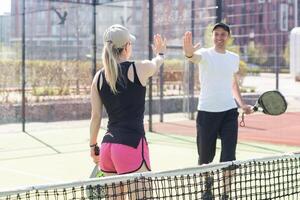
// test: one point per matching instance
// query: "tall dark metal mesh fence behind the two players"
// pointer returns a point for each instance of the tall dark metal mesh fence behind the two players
(62, 43)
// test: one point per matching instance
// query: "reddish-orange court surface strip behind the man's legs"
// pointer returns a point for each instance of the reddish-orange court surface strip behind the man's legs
(283, 129)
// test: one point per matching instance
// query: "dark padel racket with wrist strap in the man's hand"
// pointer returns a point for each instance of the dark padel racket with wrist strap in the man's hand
(270, 103)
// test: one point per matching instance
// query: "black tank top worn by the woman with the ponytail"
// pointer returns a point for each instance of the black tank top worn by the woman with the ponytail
(125, 109)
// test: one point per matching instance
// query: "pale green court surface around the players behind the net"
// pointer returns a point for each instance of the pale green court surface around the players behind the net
(59, 152)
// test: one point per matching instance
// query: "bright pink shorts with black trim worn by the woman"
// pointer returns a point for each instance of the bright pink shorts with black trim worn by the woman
(123, 159)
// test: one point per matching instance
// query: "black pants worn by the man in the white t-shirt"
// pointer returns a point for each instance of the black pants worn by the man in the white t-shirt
(210, 126)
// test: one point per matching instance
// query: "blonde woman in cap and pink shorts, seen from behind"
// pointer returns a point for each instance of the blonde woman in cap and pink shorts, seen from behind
(121, 88)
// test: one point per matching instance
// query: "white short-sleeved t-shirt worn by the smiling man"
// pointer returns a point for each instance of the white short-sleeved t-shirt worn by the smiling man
(216, 72)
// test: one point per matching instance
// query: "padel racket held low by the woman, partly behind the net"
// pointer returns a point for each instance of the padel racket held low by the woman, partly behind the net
(97, 191)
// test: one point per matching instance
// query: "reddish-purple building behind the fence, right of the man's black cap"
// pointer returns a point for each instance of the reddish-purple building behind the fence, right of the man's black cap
(267, 23)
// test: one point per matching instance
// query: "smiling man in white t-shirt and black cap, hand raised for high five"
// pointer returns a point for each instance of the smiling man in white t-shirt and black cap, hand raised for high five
(217, 110)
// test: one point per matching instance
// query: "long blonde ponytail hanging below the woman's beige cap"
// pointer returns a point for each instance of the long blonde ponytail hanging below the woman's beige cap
(109, 60)
